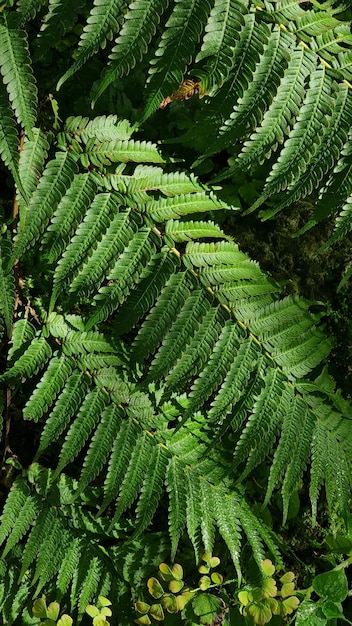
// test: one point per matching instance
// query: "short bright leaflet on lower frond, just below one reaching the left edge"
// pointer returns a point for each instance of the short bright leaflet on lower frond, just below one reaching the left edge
(50, 385)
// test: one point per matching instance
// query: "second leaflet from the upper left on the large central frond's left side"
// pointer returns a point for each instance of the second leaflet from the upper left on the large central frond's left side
(68, 214)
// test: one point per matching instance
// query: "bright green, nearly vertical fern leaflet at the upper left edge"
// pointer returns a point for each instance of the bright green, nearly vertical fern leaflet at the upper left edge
(17, 73)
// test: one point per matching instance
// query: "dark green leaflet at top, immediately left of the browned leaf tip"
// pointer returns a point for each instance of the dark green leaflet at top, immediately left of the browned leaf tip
(175, 50)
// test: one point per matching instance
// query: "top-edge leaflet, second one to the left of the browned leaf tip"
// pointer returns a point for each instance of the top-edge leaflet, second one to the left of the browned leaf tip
(141, 20)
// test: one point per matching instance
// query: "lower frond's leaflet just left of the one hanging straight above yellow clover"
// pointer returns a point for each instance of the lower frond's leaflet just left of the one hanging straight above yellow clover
(151, 489)
